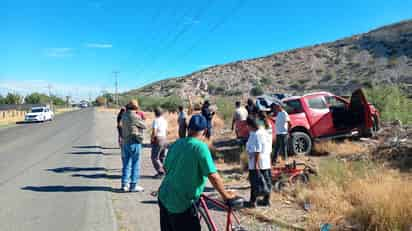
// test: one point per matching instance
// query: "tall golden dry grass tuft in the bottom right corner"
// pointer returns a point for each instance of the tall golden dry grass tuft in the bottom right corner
(381, 202)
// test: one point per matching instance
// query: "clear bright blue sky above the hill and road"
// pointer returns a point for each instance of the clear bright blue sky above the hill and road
(76, 45)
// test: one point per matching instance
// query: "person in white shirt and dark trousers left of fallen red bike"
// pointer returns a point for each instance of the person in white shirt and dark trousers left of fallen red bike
(259, 149)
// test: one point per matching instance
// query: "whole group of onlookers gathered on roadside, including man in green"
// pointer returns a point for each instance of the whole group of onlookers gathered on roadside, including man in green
(189, 164)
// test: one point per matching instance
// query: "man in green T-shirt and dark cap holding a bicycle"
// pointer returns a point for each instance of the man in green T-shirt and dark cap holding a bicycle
(188, 165)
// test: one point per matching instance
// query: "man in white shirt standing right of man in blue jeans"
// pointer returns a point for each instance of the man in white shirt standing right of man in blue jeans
(159, 142)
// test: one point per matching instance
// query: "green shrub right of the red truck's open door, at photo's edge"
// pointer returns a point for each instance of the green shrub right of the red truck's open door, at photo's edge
(391, 102)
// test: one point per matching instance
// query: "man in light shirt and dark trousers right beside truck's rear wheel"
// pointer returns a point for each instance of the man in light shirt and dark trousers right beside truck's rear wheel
(282, 131)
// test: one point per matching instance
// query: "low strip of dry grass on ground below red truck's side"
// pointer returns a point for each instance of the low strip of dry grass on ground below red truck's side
(339, 148)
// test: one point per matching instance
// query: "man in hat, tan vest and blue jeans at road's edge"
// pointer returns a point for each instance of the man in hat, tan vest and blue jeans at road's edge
(132, 132)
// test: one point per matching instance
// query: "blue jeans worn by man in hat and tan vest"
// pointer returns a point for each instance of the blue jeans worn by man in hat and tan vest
(131, 163)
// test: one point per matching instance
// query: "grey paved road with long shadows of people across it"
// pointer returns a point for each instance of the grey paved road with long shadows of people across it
(42, 176)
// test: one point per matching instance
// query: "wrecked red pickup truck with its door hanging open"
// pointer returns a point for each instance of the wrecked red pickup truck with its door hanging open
(323, 115)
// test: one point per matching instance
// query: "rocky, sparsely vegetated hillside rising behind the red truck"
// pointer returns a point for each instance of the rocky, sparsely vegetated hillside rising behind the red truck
(381, 56)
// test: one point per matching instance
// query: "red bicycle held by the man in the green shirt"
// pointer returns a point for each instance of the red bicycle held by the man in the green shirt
(230, 206)
